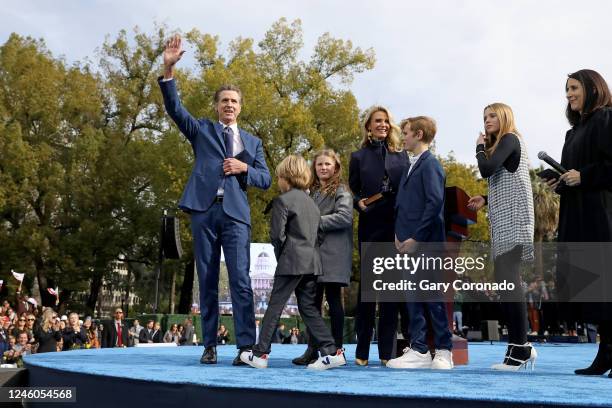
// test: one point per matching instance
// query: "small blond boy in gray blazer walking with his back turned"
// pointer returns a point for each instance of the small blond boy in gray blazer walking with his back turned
(293, 232)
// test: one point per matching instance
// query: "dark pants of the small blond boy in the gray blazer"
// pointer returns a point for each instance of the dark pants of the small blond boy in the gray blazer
(305, 287)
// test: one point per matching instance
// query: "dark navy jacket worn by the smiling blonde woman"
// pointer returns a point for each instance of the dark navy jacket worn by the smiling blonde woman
(366, 173)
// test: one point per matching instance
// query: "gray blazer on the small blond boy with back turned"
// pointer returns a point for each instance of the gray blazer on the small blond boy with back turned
(293, 233)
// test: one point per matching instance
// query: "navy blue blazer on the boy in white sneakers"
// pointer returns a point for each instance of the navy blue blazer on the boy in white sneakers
(419, 205)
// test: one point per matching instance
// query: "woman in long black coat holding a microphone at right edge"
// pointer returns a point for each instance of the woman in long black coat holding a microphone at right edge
(585, 213)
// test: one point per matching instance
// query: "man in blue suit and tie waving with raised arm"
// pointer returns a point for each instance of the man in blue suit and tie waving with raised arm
(227, 161)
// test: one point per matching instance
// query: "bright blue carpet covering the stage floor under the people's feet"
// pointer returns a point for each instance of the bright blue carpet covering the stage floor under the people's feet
(552, 382)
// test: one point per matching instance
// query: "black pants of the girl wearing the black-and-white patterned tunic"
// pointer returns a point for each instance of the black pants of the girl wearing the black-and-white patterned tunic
(508, 267)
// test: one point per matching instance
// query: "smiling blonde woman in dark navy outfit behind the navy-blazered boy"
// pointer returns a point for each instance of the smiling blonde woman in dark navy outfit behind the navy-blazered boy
(376, 168)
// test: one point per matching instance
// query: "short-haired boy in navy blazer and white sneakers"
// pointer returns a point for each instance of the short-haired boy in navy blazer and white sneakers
(420, 218)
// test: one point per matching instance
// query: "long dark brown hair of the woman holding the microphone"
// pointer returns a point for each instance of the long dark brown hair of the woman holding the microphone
(596, 95)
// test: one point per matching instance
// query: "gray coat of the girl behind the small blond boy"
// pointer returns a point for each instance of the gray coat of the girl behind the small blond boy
(336, 235)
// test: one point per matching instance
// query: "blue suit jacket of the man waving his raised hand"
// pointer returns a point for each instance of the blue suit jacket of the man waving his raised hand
(206, 139)
